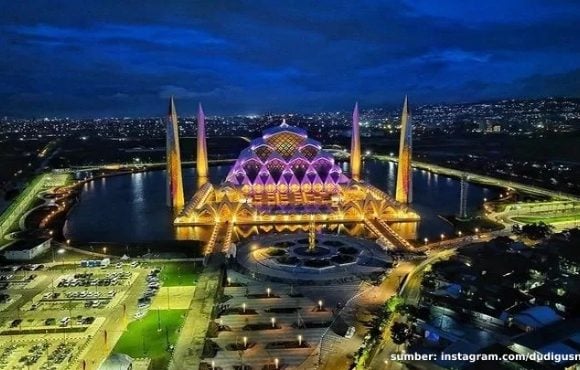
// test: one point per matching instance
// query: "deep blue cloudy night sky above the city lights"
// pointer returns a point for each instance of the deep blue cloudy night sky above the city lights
(125, 57)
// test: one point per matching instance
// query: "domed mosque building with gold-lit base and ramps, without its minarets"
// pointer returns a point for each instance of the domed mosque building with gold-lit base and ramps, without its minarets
(284, 177)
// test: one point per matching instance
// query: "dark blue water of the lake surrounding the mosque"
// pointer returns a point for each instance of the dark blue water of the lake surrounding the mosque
(132, 207)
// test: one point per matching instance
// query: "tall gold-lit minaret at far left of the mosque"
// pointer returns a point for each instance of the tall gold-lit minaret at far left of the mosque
(175, 197)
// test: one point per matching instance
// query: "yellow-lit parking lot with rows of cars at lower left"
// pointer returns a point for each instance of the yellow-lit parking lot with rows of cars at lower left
(55, 316)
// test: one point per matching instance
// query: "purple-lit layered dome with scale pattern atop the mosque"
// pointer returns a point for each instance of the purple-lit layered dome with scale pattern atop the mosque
(285, 159)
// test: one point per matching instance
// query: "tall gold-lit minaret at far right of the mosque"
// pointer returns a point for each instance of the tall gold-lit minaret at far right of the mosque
(404, 192)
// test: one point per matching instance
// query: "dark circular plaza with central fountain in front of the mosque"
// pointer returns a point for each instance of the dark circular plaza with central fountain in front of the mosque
(299, 257)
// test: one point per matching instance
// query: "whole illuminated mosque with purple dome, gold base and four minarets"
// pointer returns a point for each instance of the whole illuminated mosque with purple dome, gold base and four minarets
(286, 178)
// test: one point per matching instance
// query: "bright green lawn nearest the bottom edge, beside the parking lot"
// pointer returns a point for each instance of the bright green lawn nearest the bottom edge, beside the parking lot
(142, 338)
